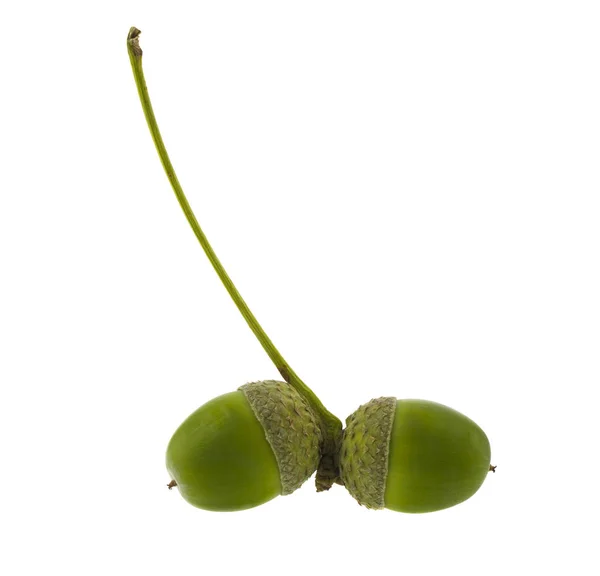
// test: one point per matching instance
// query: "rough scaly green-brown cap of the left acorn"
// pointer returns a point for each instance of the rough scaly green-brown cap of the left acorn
(291, 428)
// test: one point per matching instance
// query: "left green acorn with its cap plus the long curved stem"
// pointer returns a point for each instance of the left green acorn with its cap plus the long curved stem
(244, 448)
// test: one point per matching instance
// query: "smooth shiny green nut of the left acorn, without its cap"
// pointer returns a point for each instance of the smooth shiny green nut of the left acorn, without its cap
(221, 459)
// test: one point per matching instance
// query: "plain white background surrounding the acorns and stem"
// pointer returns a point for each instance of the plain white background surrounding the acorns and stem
(406, 194)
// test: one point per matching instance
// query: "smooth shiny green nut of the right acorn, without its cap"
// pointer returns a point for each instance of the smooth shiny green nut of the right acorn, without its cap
(437, 458)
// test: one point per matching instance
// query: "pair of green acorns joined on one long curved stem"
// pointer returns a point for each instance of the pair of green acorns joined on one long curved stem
(266, 439)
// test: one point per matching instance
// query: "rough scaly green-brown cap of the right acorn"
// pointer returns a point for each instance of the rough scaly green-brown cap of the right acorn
(364, 453)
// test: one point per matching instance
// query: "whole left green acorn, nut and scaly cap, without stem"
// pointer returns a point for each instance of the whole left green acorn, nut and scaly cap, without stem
(244, 448)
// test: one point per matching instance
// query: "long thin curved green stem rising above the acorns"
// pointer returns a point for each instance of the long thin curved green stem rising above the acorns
(332, 426)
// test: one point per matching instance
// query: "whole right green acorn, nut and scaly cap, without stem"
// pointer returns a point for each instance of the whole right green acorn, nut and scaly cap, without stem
(412, 456)
